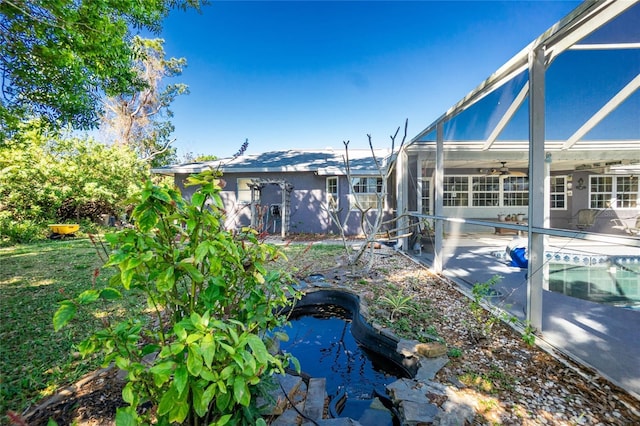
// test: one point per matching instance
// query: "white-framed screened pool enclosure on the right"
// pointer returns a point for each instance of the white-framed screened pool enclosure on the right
(545, 153)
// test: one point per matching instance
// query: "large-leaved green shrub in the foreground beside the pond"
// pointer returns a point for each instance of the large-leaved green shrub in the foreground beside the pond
(202, 357)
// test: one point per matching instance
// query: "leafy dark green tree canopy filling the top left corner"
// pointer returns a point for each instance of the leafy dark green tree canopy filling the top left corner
(58, 58)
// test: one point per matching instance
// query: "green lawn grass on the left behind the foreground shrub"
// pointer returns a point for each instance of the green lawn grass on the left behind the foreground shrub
(35, 360)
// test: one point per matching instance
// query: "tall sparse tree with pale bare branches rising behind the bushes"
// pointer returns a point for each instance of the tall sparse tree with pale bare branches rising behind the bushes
(140, 119)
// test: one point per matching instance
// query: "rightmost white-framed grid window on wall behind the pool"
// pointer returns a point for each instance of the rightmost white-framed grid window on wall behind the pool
(613, 191)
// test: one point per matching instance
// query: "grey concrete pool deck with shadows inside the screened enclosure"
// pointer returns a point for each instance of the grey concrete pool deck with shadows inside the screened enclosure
(604, 337)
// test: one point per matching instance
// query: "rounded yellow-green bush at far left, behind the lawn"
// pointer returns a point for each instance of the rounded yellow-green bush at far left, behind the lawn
(46, 178)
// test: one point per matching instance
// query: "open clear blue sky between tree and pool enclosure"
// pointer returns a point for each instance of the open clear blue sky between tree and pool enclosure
(305, 75)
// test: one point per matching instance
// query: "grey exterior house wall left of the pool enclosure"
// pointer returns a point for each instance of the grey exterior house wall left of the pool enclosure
(308, 213)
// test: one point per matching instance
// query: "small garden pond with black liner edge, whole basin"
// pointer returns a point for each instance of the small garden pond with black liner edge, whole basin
(332, 341)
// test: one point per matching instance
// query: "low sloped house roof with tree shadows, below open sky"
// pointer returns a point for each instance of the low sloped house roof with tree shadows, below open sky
(326, 162)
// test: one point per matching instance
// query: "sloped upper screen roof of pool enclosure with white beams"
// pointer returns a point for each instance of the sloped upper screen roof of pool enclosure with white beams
(589, 93)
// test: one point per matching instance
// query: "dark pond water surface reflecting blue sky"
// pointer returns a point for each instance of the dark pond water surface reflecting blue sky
(325, 347)
